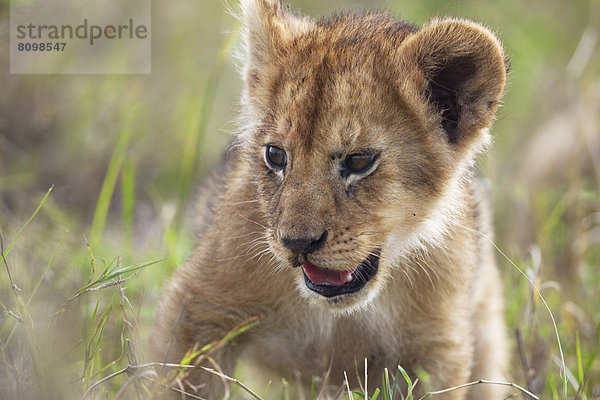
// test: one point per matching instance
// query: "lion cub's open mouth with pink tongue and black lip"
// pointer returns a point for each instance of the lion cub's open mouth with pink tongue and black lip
(331, 283)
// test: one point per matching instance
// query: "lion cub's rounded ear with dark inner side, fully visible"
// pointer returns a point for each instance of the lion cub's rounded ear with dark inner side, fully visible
(459, 70)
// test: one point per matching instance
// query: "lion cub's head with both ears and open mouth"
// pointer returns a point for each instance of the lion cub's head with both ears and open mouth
(359, 130)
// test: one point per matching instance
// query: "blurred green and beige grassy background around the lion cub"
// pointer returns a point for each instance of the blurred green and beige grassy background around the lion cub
(125, 155)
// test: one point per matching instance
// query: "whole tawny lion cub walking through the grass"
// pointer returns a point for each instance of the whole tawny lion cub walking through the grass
(348, 217)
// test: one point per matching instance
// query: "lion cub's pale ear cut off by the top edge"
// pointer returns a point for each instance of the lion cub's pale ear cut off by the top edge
(268, 27)
